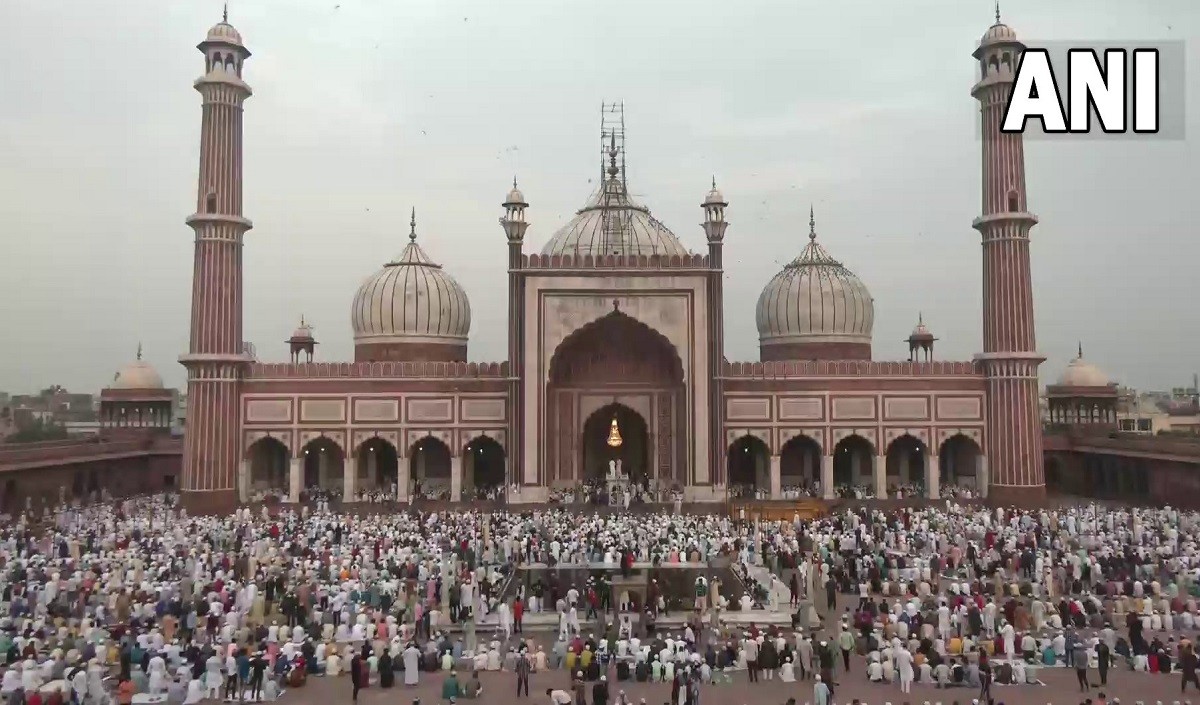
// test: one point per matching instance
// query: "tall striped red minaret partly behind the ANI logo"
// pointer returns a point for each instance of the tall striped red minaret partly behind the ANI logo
(1010, 358)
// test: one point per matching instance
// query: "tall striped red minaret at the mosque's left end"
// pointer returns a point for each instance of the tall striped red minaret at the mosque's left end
(217, 355)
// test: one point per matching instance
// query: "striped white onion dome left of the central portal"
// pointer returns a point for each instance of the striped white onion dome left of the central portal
(411, 310)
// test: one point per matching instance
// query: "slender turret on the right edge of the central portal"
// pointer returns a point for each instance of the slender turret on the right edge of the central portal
(715, 231)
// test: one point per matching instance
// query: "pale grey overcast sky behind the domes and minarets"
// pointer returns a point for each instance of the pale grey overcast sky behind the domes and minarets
(367, 109)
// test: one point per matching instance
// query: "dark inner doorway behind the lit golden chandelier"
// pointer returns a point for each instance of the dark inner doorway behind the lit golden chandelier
(632, 456)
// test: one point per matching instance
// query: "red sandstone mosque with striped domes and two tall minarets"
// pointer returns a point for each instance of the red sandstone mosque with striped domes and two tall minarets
(615, 354)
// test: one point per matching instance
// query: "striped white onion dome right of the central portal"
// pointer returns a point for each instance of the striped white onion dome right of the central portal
(815, 309)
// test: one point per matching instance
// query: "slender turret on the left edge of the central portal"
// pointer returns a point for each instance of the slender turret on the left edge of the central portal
(515, 226)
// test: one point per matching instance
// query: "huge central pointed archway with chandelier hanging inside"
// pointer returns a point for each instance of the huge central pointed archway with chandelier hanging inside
(639, 372)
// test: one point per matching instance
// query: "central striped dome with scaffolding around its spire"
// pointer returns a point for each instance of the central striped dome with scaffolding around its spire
(614, 224)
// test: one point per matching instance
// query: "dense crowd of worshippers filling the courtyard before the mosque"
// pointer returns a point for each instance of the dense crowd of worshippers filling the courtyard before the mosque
(137, 596)
